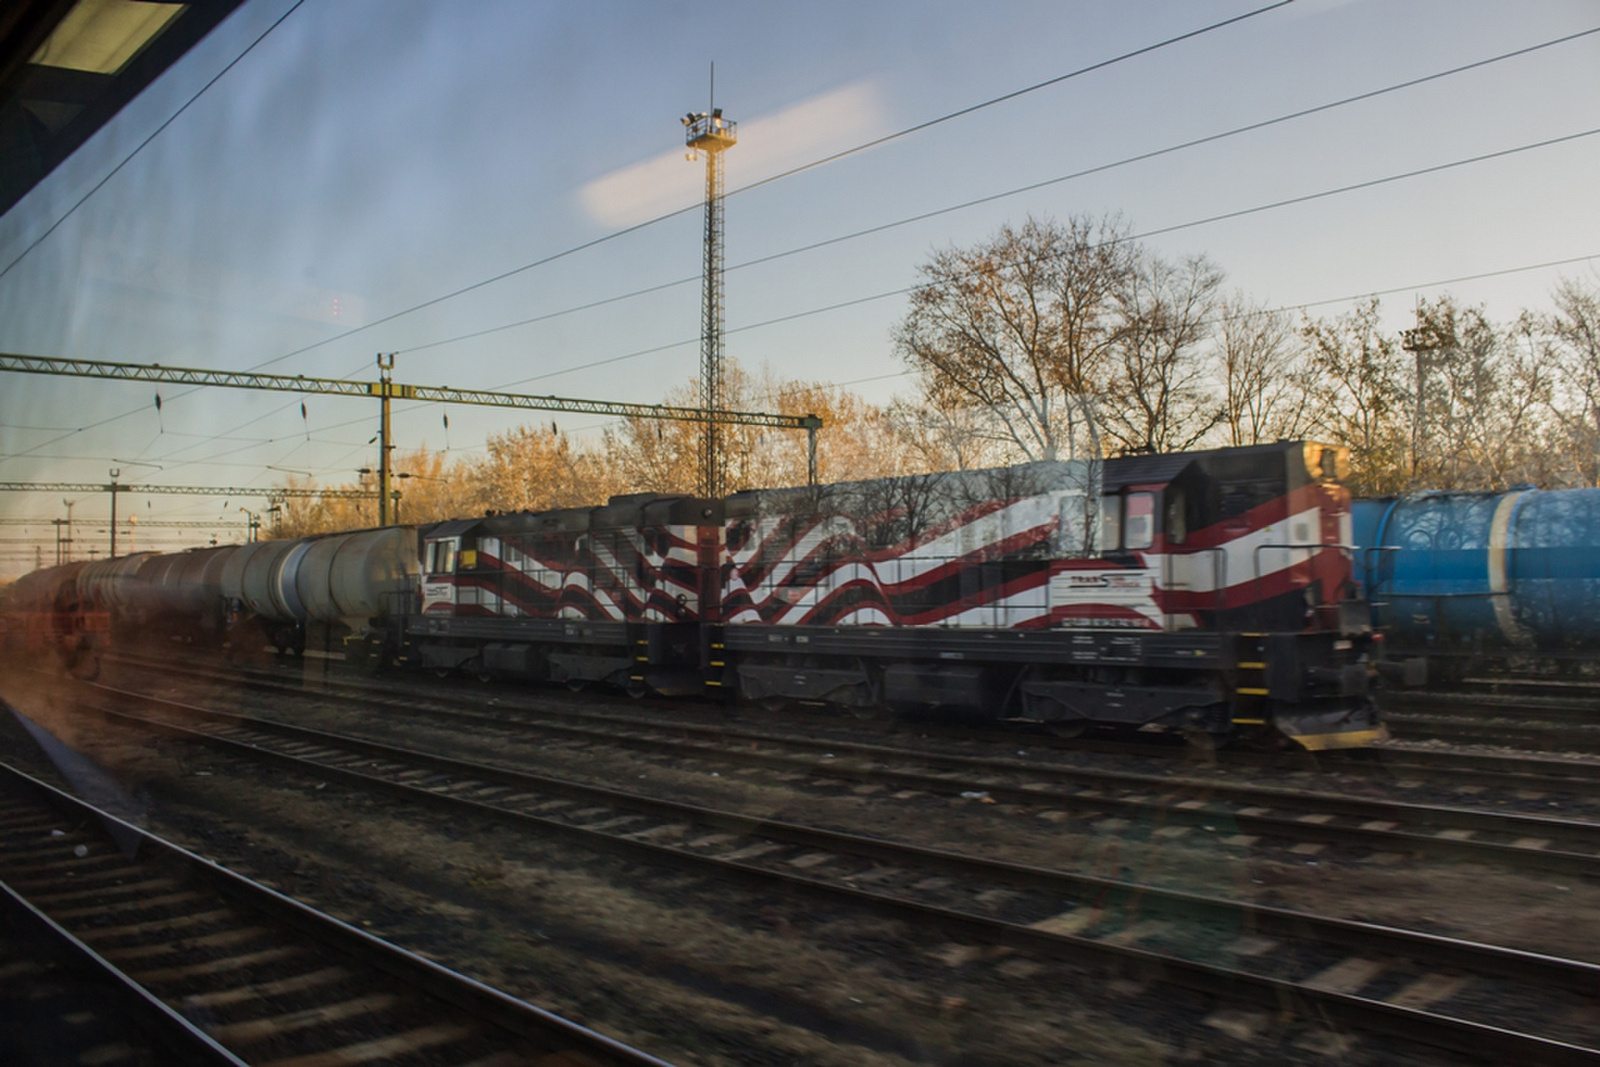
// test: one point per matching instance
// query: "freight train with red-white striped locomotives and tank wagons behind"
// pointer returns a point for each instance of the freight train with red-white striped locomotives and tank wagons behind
(1202, 593)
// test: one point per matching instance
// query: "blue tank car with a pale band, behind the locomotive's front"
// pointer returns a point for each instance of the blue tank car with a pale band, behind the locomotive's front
(1455, 577)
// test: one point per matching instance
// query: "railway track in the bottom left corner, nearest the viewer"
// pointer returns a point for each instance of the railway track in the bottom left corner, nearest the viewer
(233, 972)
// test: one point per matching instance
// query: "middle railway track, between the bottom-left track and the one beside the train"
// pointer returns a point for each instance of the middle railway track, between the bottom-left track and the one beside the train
(1422, 988)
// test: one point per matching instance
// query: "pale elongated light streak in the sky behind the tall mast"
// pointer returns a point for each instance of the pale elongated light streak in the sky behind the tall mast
(767, 146)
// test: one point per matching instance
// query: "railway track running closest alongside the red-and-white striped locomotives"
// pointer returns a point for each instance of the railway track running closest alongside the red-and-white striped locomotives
(1234, 813)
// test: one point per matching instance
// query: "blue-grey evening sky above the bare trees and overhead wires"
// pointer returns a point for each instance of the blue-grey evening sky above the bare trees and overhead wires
(498, 193)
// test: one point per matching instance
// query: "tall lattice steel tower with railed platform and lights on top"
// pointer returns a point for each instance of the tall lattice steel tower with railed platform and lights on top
(713, 135)
